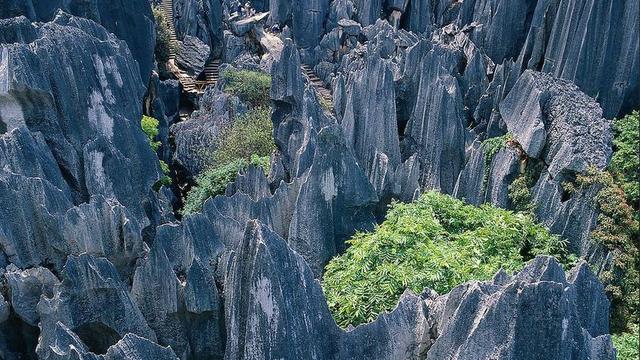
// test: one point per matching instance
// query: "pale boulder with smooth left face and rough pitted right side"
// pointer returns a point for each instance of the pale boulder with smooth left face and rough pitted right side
(554, 121)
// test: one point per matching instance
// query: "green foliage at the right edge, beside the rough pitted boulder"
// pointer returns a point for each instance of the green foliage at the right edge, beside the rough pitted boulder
(625, 163)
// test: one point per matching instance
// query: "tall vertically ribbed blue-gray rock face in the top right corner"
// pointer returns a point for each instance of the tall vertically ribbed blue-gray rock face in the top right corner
(608, 72)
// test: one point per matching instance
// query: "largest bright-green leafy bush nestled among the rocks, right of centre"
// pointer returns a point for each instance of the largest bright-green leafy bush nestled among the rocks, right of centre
(436, 242)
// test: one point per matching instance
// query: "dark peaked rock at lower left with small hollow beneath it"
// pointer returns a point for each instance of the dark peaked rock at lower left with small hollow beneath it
(93, 302)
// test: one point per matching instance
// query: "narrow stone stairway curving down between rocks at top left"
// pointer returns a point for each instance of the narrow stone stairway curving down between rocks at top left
(189, 84)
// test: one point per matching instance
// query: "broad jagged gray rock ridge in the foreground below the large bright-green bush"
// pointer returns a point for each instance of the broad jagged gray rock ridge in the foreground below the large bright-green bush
(538, 299)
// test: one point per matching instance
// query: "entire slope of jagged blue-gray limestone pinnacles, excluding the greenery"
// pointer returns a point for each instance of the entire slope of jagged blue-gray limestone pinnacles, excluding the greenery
(94, 264)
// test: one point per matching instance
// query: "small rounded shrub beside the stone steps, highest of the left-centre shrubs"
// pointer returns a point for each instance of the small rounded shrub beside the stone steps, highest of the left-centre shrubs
(251, 87)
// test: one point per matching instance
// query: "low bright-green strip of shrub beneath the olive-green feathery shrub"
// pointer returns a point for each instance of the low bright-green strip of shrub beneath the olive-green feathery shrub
(214, 181)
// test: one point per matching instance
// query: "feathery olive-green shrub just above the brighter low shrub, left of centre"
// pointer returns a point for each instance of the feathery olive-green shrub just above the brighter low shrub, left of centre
(251, 134)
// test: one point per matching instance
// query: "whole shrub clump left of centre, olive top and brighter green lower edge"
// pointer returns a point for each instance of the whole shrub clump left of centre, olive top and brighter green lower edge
(247, 142)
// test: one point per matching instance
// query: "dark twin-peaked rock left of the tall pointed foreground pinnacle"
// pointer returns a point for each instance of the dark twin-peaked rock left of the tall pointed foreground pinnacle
(184, 313)
